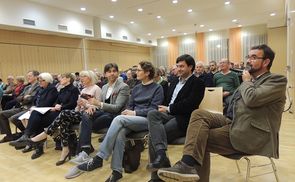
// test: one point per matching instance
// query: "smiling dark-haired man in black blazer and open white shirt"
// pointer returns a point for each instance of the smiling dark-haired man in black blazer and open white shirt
(170, 121)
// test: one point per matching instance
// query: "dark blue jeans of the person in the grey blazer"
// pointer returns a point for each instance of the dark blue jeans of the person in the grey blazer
(99, 120)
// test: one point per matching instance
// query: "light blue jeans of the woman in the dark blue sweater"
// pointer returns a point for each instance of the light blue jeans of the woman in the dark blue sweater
(114, 142)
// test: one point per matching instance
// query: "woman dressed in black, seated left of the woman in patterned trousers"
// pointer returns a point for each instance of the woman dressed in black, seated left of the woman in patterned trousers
(66, 99)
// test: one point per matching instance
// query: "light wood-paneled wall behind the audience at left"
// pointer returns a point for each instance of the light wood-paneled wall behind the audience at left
(22, 51)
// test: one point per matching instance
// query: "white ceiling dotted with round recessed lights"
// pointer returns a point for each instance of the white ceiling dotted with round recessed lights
(211, 13)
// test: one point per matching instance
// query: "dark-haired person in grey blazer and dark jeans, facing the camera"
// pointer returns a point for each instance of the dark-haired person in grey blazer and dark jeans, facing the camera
(114, 98)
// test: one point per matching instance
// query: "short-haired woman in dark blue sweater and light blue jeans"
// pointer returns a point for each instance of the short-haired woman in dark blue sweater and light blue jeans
(145, 97)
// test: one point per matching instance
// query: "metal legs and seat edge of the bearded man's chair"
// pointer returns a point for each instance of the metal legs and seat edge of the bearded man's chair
(237, 157)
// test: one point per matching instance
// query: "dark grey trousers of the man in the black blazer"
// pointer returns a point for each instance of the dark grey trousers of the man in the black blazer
(163, 129)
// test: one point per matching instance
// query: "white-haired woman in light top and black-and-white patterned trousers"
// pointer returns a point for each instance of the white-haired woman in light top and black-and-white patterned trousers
(67, 118)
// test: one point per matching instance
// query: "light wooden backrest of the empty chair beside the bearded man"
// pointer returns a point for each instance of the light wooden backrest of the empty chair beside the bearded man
(212, 100)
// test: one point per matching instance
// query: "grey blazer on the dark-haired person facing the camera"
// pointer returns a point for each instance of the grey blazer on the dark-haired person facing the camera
(119, 97)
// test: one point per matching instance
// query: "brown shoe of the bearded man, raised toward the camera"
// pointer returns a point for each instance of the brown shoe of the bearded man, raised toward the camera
(179, 172)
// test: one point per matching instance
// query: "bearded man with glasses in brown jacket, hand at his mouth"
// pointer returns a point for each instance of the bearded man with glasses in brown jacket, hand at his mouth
(250, 127)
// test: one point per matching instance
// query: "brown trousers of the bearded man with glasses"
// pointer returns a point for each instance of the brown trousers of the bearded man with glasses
(207, 132)
